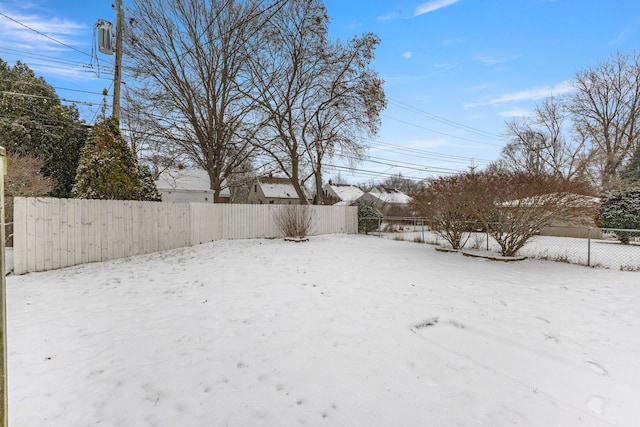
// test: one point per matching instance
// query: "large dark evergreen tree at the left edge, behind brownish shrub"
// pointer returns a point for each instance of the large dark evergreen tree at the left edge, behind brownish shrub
(34, 123)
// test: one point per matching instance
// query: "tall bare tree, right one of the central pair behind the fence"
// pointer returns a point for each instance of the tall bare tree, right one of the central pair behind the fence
(314, 97)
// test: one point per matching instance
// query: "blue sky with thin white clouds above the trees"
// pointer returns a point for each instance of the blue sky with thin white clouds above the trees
(454, 70)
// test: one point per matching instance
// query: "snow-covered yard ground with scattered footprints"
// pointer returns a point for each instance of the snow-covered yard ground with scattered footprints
(338, 331)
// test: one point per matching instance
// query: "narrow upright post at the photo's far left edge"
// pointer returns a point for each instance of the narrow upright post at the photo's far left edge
(4, 417)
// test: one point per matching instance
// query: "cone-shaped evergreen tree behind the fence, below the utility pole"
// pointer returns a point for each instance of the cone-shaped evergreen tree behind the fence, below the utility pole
(108, 168)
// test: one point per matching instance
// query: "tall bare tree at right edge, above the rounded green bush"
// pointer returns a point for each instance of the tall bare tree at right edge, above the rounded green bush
(606, 110)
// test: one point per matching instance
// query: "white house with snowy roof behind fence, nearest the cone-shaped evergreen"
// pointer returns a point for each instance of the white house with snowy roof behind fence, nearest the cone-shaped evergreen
(188, 185)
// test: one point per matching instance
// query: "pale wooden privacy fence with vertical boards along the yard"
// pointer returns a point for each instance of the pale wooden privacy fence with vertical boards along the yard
(55, 233)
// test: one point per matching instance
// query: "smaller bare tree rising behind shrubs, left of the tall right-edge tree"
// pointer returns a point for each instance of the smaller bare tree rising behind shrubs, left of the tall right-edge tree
(541, 144)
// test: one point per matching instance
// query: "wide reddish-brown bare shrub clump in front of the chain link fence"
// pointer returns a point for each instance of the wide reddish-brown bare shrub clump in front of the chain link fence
(511, 206)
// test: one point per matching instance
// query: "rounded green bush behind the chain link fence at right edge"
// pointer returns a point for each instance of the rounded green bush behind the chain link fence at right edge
(621, 209)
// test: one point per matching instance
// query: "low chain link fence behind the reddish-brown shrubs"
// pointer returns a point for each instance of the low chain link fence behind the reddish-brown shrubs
(594, 247)
